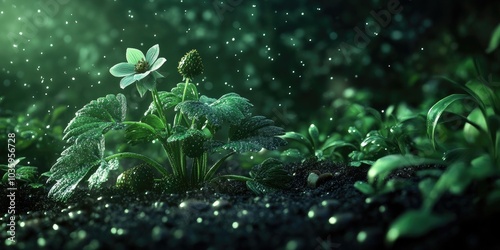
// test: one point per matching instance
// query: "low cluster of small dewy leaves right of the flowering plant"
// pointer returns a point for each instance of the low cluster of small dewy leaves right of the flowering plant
(366, 135)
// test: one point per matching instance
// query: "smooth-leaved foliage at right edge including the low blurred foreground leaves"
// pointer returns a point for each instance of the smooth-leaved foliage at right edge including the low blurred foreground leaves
(474, 158)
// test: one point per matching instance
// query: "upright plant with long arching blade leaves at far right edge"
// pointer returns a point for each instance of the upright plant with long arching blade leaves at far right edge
(477, 159)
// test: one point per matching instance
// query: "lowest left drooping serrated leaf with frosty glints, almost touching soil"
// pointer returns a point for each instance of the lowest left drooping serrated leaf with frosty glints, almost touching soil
(73, 166)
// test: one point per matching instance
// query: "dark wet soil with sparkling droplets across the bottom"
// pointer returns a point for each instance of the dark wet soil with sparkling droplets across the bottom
(228, 216)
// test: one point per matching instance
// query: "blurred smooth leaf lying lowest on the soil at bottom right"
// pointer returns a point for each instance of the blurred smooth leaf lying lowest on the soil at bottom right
(409, 224)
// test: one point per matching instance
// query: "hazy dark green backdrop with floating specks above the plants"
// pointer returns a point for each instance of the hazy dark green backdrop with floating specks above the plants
(279, 54)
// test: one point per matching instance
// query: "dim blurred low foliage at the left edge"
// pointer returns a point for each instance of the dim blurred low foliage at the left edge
(37, 139)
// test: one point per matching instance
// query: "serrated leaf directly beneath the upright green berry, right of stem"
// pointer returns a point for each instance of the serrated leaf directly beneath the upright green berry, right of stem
(229, 108)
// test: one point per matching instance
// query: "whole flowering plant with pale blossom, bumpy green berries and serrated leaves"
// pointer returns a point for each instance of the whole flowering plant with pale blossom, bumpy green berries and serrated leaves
(188, 135)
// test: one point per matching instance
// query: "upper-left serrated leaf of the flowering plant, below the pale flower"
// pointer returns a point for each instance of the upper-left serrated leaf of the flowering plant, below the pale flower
(96, 118)
